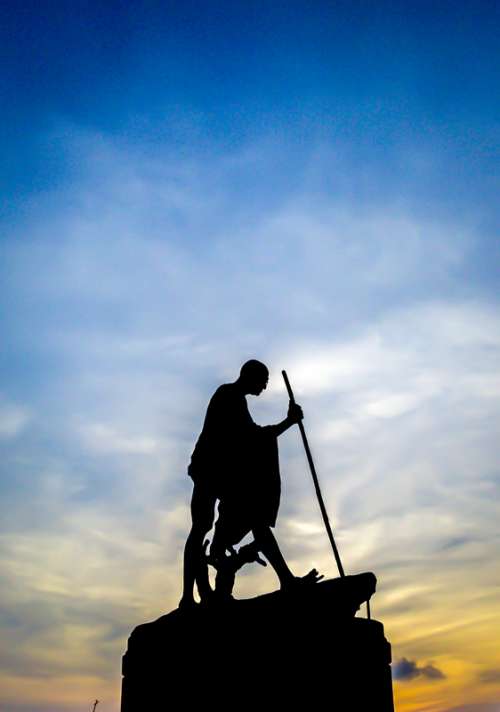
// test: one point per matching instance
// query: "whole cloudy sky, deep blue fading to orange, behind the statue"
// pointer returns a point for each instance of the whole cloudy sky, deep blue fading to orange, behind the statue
(189, 185)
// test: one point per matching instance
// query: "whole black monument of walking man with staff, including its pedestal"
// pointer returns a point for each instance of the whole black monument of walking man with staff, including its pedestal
(223, 645)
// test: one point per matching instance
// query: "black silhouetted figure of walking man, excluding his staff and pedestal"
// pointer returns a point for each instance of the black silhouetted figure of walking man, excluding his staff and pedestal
(236, 461)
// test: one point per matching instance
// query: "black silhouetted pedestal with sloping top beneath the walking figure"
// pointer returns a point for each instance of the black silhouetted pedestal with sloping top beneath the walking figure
(264, 653)
